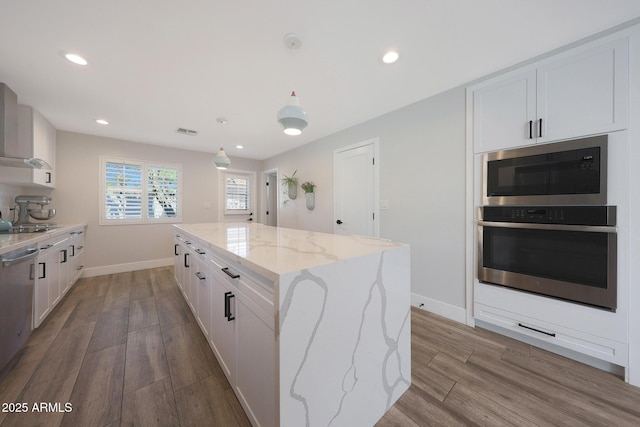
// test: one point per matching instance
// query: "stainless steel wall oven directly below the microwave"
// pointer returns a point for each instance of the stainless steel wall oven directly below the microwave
(567, 252)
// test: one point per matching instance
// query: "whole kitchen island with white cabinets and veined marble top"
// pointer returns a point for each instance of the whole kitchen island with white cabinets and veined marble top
(311, 329)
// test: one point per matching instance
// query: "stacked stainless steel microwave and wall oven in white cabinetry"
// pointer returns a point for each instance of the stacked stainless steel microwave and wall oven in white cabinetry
(544, 226)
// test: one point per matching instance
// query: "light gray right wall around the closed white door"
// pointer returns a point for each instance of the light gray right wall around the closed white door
(422, 175)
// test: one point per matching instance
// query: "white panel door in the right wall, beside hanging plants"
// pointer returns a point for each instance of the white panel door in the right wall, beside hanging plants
(356, 190)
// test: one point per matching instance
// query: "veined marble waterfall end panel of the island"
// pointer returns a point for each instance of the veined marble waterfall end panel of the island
(348, 349)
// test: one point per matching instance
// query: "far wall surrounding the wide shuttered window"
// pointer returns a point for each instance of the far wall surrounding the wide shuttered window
(77, 191)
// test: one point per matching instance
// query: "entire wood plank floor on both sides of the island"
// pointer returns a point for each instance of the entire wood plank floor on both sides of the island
(125, 350)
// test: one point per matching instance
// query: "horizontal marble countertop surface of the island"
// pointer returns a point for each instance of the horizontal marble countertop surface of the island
(273, 251)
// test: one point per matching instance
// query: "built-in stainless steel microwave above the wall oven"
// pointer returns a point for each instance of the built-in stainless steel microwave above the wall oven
(563, 173)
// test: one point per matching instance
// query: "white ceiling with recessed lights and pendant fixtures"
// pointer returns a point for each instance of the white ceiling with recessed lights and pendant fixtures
(156, 65)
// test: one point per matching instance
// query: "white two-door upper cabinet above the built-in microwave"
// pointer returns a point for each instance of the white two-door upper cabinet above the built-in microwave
(580, 92)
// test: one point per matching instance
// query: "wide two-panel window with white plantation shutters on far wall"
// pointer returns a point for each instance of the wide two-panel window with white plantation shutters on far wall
(135, 192)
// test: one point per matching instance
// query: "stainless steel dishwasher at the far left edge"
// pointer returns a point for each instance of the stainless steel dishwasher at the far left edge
(16, 300)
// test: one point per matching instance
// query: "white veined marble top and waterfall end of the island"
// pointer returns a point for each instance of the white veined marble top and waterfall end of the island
(342, 318)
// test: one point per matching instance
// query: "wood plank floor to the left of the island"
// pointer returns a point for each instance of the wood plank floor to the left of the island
(124, 350)
